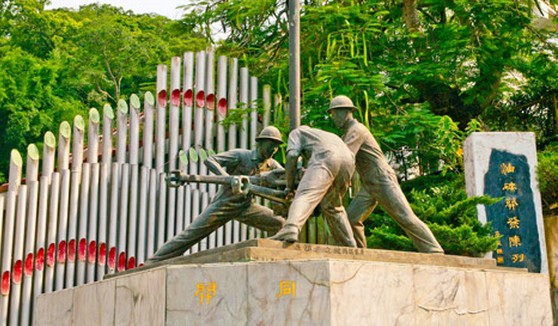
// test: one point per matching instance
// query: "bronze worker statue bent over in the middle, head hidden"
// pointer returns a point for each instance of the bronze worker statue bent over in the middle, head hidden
(330, 166)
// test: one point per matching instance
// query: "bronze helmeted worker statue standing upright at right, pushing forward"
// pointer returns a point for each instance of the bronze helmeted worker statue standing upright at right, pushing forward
(379, 182)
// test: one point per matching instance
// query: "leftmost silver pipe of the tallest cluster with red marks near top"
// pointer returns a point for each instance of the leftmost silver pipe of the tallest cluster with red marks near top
(161, 117)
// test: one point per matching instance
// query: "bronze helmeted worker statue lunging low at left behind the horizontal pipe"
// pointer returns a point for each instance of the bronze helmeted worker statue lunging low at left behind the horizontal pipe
(227, 205)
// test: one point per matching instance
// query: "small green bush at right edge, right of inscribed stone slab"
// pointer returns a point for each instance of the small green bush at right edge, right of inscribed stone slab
(547, 173)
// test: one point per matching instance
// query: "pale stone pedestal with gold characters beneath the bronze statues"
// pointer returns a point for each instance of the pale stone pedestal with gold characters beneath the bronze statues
(274, 284)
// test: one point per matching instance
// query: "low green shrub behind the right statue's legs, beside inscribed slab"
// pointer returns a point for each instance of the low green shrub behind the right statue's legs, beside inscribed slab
(441, 202)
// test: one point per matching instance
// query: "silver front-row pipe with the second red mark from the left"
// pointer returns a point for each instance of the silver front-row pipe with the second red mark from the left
(19, 238)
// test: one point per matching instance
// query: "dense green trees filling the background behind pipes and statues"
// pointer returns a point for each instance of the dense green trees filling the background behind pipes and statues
(423, 74)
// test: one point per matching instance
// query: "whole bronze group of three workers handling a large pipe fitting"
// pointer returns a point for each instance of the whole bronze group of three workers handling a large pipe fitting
(330, 162)
